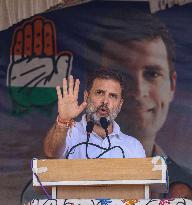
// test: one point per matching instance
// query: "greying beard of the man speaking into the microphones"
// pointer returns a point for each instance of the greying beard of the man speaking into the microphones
(93, 112)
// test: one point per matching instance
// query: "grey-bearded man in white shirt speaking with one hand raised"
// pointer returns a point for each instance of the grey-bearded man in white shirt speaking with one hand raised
(97, 135)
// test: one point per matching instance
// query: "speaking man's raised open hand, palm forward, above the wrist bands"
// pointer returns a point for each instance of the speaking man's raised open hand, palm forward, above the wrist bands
(68, 106)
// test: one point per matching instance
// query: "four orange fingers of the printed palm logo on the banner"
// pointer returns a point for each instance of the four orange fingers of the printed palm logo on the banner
(34, 37)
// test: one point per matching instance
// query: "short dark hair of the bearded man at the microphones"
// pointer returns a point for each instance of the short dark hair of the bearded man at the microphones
(108, 74)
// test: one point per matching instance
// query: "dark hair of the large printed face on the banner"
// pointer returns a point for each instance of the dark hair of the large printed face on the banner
(128, 25)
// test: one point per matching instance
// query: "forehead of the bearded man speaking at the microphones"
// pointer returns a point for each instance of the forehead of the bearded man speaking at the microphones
(108, 85)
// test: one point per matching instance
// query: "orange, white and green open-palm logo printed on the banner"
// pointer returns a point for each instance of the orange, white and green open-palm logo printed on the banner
(35, 65)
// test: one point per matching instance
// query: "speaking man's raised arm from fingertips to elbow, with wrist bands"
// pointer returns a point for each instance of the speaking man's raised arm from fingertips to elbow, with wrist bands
(68, 109)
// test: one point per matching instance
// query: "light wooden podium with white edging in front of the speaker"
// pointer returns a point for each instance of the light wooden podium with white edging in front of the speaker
(115, 178)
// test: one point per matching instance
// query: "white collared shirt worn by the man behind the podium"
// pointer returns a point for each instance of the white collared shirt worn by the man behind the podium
(118, 145)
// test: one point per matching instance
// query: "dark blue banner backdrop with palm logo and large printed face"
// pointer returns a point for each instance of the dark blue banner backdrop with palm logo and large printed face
(37, 53)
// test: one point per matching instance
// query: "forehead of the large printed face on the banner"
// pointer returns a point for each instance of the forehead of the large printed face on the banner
(135, 54)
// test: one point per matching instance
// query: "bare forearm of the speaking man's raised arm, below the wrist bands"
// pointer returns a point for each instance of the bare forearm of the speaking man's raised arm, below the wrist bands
(55, 141)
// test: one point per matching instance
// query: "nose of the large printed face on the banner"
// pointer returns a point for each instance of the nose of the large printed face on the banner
(138, 88)
